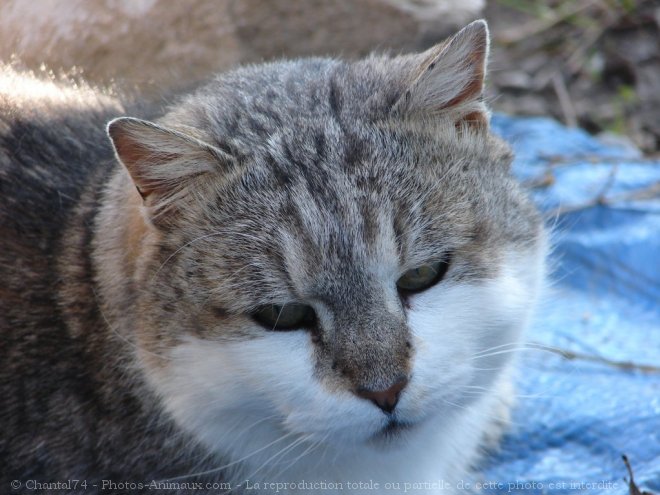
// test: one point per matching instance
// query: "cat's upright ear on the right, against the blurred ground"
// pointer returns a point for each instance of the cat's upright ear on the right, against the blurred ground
(449, 78)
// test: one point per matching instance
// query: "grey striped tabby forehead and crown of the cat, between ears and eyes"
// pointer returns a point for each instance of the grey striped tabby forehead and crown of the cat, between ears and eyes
(330, 182)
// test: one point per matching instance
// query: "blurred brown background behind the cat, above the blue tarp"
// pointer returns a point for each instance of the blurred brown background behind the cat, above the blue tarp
(593, 64)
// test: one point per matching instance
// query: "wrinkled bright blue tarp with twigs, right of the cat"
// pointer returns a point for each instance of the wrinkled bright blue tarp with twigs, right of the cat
(575, 418)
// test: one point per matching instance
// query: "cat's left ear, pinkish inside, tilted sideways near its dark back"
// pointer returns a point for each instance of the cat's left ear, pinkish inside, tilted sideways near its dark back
(163, 162)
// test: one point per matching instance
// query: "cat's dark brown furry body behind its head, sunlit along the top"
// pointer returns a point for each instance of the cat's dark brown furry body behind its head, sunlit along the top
(70, 405)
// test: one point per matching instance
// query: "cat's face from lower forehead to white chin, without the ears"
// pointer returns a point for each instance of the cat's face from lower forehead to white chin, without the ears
(339, 247)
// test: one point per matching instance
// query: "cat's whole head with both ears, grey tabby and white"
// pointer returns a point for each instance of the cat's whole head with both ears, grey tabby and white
(332, 249)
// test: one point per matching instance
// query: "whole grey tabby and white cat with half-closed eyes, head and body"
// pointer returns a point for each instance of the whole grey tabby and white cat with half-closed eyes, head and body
(304, 277)
